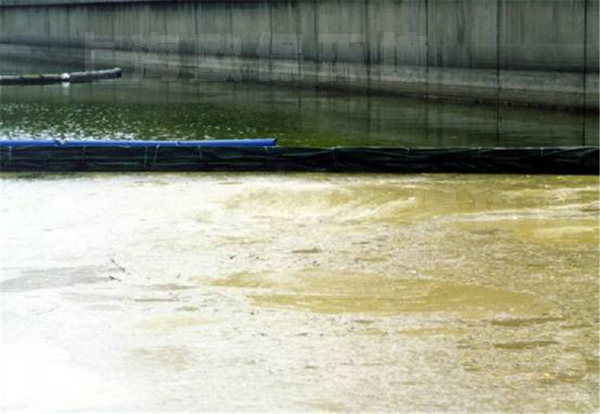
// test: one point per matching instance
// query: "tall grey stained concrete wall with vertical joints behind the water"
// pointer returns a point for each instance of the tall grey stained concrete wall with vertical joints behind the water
(533, 52)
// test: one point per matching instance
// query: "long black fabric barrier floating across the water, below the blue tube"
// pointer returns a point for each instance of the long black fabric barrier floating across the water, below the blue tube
(562, 160)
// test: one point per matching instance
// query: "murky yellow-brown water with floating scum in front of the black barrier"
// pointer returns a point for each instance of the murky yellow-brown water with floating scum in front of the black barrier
(300, 292)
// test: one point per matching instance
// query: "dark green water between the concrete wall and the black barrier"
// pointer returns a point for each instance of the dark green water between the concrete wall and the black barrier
(125, 109)
